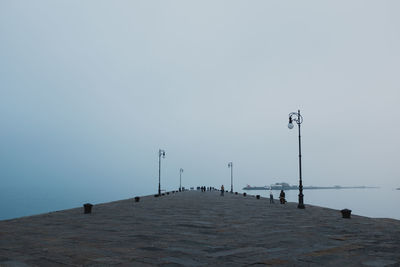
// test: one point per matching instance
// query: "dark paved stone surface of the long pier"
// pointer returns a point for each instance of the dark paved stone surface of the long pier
(195, 228)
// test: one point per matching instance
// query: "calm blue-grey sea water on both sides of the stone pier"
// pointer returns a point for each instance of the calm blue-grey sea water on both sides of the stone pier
(377, 203)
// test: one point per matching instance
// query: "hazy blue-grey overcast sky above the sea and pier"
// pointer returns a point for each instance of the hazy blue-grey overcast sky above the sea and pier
(90, 90)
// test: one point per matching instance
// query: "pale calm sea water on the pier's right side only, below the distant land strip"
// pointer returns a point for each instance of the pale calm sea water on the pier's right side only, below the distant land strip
(370, 202)
